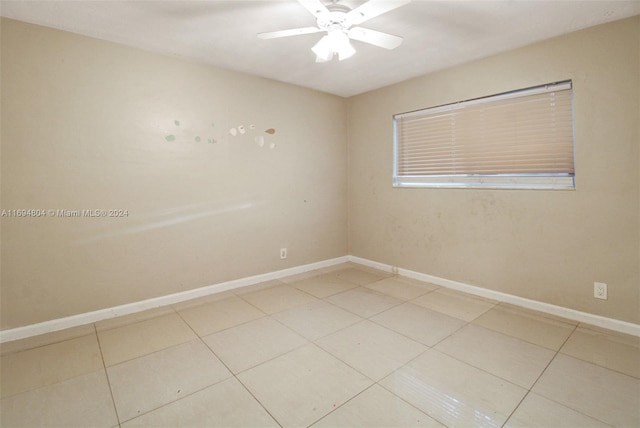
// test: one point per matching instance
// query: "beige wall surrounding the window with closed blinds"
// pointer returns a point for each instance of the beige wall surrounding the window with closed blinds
(544, 245)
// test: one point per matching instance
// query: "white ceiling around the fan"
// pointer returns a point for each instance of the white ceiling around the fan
(437, 34)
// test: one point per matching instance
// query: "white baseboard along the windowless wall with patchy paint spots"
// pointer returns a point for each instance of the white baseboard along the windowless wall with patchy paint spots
(130, 308)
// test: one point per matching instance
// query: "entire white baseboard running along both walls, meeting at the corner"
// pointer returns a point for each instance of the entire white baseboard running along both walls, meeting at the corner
(130, 308)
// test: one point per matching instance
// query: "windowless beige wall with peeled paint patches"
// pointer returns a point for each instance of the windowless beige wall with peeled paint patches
(83, 127)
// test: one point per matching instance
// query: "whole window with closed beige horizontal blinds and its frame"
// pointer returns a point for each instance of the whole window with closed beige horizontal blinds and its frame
(519, 139)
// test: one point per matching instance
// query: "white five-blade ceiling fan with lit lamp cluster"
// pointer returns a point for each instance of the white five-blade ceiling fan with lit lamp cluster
(341, 24)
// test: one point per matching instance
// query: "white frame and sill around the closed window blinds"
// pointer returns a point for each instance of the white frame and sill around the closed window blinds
(545, 181)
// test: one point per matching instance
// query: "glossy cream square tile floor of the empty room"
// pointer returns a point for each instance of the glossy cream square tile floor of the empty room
(346, 346)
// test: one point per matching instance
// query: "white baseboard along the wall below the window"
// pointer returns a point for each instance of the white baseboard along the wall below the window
(572, 314)
